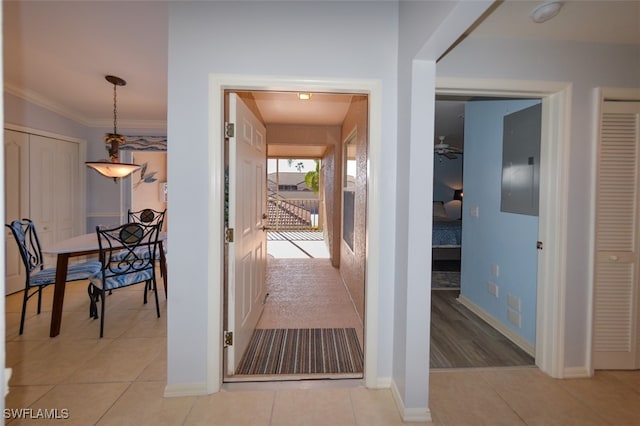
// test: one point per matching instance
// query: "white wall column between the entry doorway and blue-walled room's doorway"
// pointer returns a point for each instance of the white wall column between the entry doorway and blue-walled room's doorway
(427, 29)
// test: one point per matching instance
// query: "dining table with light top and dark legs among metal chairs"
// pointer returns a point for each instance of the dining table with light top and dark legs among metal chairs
(82, 245)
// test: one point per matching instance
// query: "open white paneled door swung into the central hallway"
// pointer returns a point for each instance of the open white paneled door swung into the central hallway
(247, 211)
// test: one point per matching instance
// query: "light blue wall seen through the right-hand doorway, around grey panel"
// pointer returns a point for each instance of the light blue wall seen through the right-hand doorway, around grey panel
(505, 240)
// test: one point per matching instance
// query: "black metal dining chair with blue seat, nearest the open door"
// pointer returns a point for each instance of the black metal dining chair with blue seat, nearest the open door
(127, 257)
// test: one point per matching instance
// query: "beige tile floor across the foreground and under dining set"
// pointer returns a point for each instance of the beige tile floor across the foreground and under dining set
(120, 380)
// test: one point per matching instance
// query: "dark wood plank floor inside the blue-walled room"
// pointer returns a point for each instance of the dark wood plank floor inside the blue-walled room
(460, 339)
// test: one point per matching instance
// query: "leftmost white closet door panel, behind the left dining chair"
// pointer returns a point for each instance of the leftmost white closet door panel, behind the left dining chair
(16, 190)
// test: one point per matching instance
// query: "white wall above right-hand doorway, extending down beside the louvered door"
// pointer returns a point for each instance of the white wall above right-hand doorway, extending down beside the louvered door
(586, 66)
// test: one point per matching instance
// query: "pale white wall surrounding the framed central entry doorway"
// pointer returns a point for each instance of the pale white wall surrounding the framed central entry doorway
(328, 39)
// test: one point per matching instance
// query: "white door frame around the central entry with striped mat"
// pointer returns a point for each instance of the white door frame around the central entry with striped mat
(218, 84)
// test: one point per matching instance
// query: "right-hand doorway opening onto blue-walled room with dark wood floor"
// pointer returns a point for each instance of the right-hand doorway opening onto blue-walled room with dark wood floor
(497, 290)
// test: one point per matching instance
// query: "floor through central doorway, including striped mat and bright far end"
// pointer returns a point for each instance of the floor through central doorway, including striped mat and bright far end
(305, 296)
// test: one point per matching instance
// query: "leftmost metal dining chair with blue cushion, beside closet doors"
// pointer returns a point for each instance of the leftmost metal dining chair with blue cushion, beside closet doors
(37, 276)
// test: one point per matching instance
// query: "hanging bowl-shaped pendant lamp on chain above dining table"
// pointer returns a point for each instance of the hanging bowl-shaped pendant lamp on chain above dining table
(114, 168)
